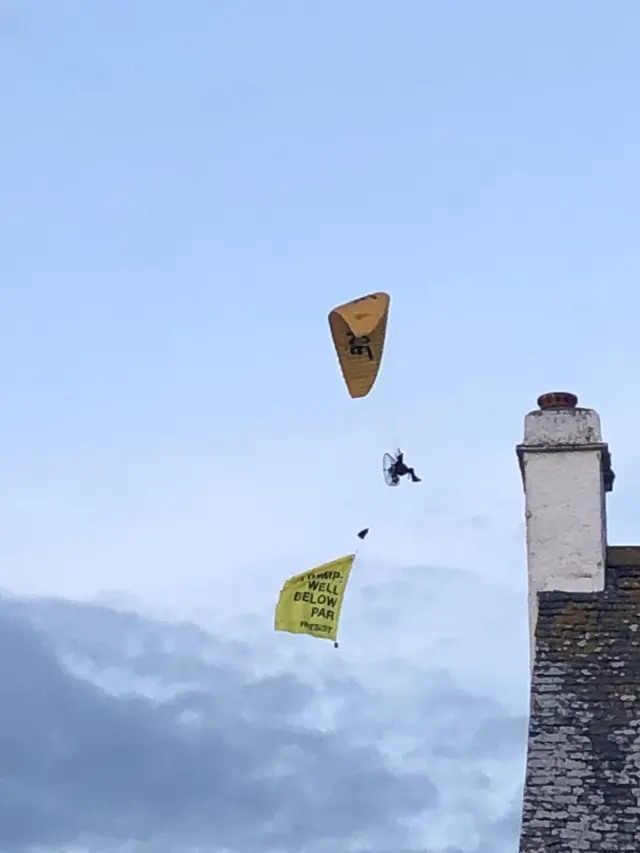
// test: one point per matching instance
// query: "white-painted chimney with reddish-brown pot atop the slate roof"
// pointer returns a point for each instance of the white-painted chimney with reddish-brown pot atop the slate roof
(566, 471)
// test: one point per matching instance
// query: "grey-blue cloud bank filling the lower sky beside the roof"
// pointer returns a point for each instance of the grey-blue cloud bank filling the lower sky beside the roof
(117, 728)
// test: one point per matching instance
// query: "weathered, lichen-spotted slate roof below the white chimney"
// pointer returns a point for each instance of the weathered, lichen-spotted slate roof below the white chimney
(582, 790)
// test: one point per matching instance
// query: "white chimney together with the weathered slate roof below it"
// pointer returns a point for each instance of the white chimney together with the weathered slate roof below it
(582, 787)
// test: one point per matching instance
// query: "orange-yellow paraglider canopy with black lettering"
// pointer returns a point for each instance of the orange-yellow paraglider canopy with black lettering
(358, 329)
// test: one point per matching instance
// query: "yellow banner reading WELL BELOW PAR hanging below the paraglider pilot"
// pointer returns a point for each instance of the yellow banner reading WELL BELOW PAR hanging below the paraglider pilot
(310, 603)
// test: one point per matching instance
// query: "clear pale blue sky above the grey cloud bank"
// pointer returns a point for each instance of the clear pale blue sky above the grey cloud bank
(187, 189)
